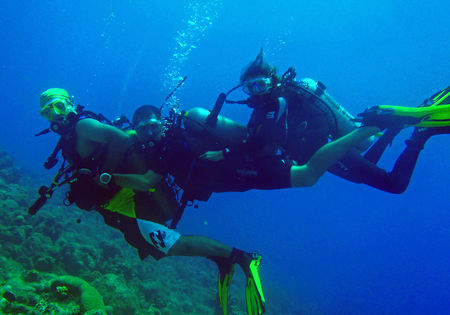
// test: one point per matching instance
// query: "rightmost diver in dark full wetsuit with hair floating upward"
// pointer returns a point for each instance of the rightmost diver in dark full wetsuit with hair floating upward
(299, 117)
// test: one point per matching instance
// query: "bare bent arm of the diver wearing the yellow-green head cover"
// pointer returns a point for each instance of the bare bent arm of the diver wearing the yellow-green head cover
(116, 140)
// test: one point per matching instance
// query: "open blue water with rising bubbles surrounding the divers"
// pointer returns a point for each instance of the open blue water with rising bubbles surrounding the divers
(336, 248)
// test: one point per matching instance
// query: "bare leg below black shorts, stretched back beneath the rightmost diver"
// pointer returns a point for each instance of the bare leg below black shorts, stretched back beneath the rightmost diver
(326, 156)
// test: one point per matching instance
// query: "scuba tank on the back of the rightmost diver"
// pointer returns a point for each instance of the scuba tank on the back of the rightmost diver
(343, 119)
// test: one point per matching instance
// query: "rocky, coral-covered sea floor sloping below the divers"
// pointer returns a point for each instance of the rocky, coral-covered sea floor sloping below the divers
(64, 260)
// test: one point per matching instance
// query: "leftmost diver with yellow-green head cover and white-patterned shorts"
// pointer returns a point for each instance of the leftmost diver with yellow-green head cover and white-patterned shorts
(101, 159)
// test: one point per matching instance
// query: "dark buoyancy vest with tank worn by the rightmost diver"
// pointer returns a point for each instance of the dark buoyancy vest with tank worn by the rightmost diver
(314, 117)
